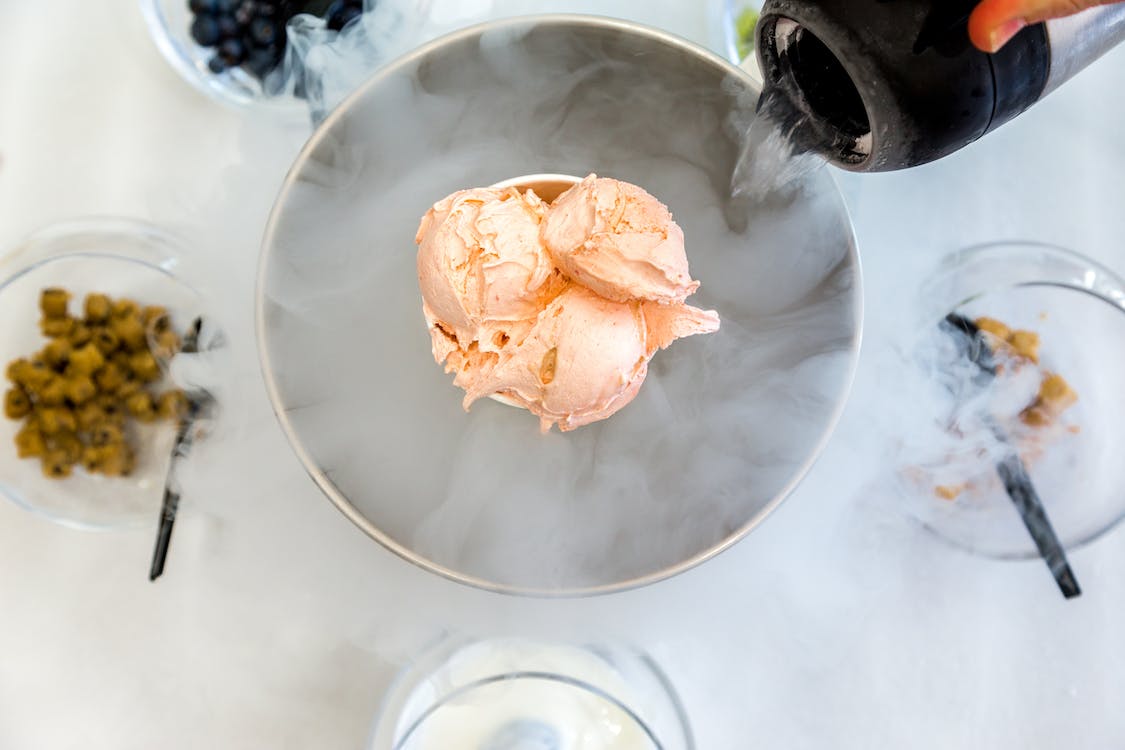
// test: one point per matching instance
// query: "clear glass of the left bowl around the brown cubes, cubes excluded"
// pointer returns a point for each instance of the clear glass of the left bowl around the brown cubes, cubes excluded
(122, 259)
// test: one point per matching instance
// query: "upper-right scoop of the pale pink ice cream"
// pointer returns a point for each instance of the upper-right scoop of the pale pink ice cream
(619, 241)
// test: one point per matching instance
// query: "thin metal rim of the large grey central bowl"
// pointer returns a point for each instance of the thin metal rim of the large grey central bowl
(343, 503)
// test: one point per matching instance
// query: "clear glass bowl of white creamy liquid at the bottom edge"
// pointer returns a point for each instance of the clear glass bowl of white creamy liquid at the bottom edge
(508, 694)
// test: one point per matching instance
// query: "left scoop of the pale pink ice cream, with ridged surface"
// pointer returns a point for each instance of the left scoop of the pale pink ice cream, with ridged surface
(481, 265)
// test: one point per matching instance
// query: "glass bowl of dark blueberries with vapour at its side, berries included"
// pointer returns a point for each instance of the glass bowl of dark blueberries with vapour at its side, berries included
(262, 52)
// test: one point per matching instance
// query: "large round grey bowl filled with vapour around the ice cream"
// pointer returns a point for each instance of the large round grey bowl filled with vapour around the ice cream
(725, 427)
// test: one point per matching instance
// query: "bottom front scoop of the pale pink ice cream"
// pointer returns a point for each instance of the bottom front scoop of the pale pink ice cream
(584, 359)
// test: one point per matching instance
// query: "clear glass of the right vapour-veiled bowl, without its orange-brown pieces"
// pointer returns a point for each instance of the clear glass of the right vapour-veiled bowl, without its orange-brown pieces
(1078, 310)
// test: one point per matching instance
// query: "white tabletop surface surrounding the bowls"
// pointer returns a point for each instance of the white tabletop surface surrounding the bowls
(278, 625)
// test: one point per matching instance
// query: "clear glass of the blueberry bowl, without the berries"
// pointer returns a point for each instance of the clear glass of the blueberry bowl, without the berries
(170, 21)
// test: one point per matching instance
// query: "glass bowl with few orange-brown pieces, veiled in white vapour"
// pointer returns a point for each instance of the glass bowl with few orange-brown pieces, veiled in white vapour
(1049, 318)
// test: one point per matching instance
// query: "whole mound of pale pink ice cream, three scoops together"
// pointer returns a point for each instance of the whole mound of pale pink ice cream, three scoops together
(557, 310)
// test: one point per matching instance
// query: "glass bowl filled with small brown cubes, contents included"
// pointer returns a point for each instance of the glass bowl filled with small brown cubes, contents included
(95, 312)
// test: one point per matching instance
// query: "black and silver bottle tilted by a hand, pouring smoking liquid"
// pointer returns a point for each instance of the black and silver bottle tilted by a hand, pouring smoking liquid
(885, 85)
